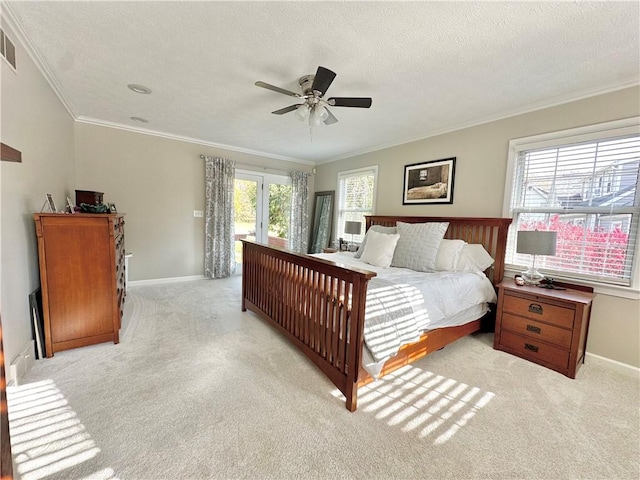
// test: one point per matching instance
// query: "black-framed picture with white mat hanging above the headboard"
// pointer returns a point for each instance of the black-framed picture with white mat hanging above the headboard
(429, 182)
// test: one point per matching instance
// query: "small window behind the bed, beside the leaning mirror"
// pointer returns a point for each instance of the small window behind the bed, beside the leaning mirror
(356, 198)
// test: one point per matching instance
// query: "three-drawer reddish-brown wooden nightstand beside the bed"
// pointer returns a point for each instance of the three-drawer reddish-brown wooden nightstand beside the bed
(548, 327)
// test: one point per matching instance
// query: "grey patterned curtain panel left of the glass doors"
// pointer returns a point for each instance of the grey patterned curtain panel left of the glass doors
(219, 256)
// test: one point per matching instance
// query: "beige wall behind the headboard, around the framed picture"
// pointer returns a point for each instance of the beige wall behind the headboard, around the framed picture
(481, 160)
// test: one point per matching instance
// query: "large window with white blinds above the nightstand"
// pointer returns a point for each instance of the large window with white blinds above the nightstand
(583, 184)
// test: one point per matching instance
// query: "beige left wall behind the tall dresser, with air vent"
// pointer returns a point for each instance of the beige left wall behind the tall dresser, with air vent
(35, 122)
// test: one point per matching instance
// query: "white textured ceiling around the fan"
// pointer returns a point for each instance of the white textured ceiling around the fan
(430, 67)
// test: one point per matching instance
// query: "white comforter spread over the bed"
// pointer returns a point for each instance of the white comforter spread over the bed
(403, 303)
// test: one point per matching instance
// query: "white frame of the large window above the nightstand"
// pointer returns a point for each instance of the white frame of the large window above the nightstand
(627, 126)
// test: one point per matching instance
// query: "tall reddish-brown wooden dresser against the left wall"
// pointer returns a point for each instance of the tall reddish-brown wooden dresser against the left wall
(82, 278)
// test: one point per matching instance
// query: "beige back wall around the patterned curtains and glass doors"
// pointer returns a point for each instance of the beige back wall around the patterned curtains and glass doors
(158, 182)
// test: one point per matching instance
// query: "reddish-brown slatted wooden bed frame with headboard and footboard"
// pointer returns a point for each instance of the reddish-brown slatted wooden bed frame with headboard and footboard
(319, 305)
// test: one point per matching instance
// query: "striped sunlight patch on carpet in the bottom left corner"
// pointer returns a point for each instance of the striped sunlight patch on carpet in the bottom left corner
(47, 436)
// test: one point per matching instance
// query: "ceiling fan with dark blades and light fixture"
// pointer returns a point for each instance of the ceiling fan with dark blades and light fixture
(314, 106)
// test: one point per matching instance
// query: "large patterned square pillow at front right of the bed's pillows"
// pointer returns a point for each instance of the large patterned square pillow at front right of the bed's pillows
(418, 245)
